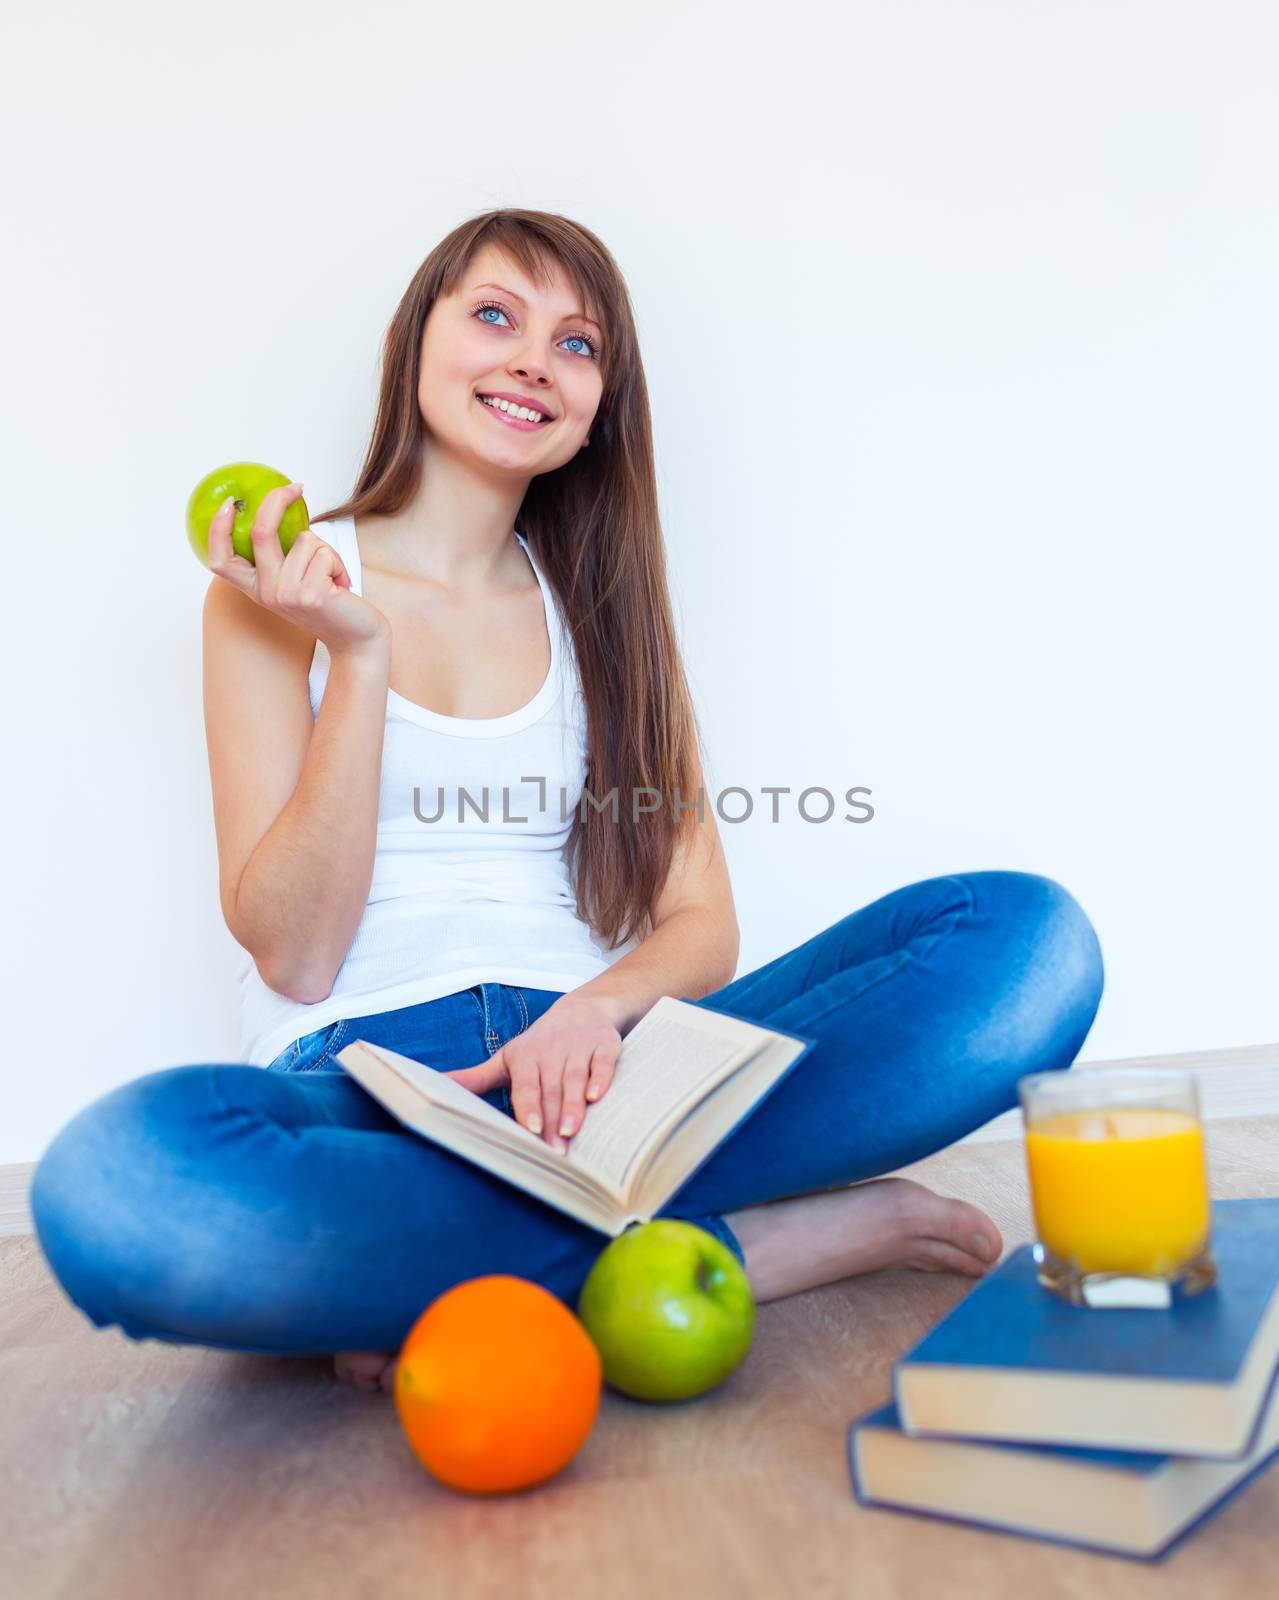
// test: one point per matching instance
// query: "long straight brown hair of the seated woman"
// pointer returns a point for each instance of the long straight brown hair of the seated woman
(595, 530)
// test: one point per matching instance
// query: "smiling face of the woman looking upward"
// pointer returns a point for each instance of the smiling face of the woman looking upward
(510, 340)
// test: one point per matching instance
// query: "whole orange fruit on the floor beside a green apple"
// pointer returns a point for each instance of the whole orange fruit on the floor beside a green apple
(497, 1385)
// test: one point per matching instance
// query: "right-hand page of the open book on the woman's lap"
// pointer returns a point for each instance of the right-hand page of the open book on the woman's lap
(667, 1063)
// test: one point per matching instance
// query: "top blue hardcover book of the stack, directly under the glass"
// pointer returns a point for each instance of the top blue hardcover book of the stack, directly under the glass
(1016, 1362)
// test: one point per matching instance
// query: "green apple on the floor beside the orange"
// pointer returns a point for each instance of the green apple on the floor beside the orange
(670, 1310)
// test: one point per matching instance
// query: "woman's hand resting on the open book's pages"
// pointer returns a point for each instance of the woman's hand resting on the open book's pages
(555, 1068)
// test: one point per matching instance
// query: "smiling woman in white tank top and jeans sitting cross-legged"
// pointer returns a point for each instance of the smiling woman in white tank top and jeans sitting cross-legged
(503, 550)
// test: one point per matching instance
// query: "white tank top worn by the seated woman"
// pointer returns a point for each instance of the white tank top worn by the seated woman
(457, 902)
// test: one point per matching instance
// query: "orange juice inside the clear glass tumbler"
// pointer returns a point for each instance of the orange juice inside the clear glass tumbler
(1120, 1190)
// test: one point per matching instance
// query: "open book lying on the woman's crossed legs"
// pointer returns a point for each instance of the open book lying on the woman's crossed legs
(686, 1079)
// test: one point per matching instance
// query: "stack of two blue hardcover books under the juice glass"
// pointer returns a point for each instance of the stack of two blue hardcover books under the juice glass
(1121, 1431)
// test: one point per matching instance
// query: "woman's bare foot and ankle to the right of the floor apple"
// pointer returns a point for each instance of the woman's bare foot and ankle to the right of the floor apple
(798, 1244)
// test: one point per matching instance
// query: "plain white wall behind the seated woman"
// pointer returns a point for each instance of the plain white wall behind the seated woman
(961, 335)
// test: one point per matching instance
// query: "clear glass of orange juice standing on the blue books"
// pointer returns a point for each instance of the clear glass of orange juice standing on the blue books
(1120, 1185)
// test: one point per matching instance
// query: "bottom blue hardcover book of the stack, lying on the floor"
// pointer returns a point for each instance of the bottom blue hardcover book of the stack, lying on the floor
(1105, 1500)
